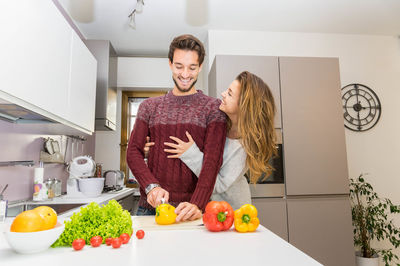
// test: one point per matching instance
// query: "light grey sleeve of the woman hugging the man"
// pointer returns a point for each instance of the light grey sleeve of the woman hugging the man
(233, 166)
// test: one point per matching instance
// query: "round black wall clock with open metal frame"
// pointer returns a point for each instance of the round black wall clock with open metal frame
(361, 107)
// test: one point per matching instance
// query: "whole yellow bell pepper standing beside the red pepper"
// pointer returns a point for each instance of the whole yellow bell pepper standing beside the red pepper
(246, 219)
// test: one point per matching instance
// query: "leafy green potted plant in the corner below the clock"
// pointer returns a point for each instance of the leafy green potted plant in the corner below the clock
(371, 221)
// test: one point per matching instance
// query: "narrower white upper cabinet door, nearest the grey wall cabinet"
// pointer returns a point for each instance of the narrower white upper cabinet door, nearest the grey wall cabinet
(82, 86)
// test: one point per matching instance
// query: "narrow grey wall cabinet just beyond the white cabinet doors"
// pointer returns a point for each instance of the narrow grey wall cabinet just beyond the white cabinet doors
(106, 88)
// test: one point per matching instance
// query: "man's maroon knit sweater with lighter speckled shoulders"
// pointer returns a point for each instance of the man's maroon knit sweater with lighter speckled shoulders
(170, 115)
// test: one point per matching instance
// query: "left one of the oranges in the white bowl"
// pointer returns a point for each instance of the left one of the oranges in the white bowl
(27, 221)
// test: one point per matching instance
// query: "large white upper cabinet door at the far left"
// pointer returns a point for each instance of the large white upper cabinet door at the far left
(35, 54)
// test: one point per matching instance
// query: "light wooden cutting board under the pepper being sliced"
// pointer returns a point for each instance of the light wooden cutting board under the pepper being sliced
(148, 223)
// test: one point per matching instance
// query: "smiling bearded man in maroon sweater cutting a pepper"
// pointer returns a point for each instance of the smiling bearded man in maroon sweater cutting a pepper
(180, 110)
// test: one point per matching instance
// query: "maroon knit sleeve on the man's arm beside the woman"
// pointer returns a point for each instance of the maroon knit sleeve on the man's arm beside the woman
(212, 161)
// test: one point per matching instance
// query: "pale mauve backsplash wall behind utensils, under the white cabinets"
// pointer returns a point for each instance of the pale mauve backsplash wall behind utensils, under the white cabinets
(24, 142)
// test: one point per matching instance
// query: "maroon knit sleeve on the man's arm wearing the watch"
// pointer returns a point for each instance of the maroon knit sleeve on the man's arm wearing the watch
(135, 154)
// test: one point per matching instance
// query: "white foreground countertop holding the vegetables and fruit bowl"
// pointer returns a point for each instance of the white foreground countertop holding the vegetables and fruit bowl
(173, 247)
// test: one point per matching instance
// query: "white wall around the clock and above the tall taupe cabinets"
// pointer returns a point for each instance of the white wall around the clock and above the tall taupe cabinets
(370, 60)
